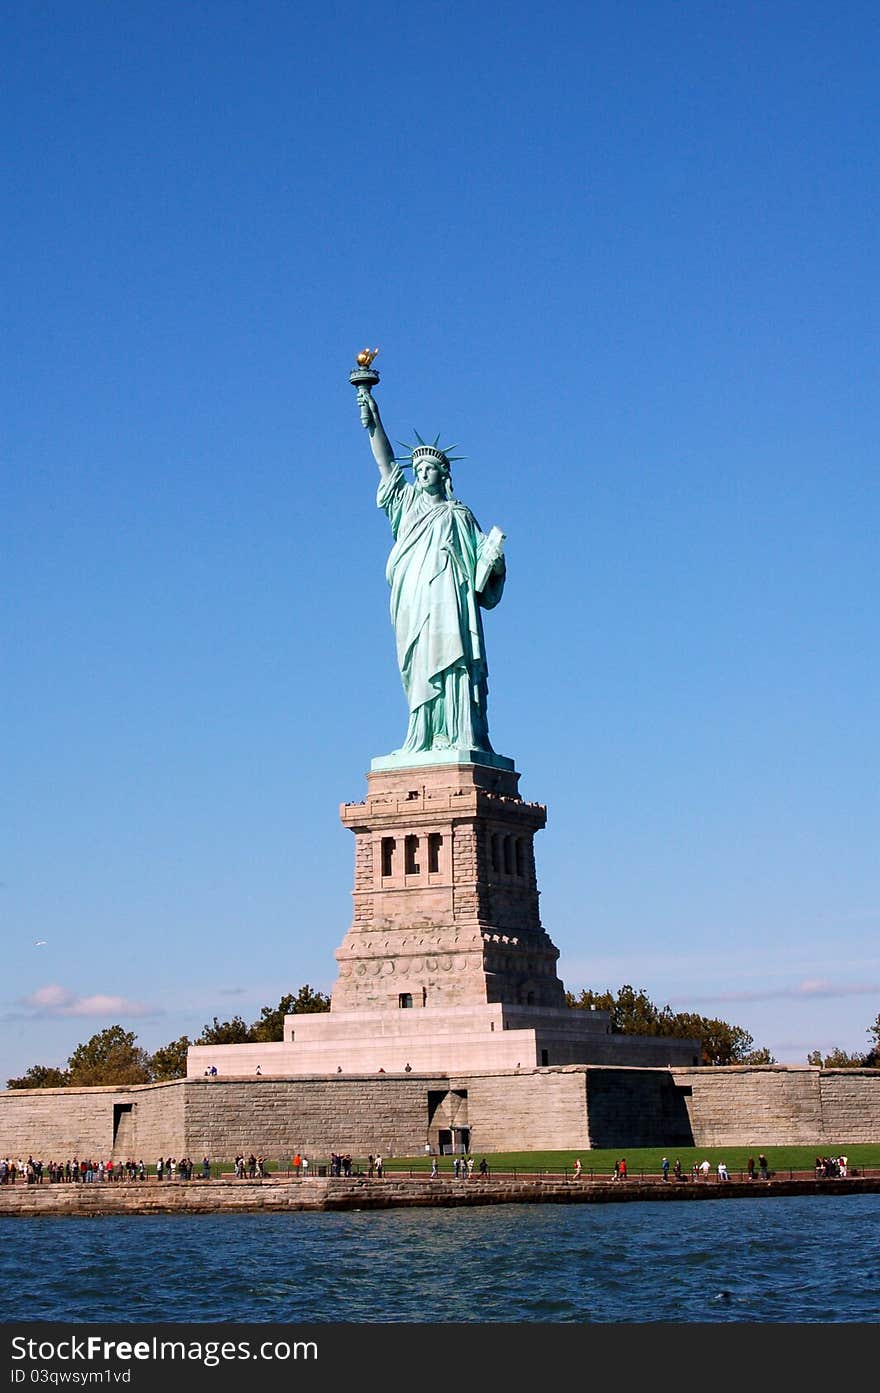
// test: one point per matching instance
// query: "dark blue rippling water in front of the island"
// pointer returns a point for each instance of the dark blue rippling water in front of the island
(785, 1260)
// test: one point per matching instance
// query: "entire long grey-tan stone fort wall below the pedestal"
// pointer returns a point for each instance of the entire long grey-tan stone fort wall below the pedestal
(534, 1110)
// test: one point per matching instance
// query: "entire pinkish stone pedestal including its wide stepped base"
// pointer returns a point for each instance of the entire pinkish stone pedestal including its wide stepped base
(446, 966)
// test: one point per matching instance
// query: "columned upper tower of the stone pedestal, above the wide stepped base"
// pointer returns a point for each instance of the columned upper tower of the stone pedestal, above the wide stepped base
(446, 903)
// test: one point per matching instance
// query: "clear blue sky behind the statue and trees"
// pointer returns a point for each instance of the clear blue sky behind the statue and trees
(624, 256)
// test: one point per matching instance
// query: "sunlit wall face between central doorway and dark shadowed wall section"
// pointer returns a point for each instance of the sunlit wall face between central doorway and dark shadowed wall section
(533, 1111)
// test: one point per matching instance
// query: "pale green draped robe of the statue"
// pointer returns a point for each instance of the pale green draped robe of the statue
(437, 615)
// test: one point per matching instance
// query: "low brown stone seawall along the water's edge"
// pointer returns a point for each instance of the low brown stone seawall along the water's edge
(336, 1194)
